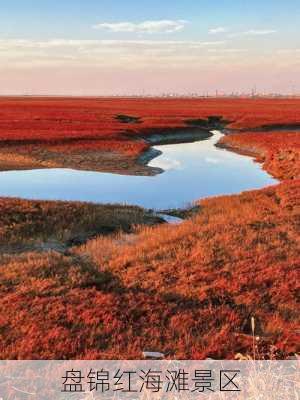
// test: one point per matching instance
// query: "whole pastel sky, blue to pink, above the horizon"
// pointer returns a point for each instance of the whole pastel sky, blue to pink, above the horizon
(104, 47)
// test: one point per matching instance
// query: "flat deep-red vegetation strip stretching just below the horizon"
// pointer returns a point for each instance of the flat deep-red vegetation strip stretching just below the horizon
(59, 119)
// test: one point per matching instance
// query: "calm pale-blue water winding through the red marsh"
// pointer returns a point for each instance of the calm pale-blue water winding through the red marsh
(192, 171)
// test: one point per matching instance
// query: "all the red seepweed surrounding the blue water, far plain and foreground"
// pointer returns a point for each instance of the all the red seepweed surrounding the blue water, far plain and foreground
(188, 291)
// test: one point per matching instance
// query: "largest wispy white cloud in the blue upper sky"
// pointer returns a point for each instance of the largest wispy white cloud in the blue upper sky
(149, 27)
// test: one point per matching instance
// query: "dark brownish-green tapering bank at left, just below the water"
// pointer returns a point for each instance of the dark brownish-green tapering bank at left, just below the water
(57, 225)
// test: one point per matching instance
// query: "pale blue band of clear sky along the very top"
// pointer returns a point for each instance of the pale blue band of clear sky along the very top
(74, 18)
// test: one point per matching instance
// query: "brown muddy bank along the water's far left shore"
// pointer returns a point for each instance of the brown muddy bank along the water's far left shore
(25, 157)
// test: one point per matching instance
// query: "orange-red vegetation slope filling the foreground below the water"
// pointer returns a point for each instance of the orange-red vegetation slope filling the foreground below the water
(188, 291)
